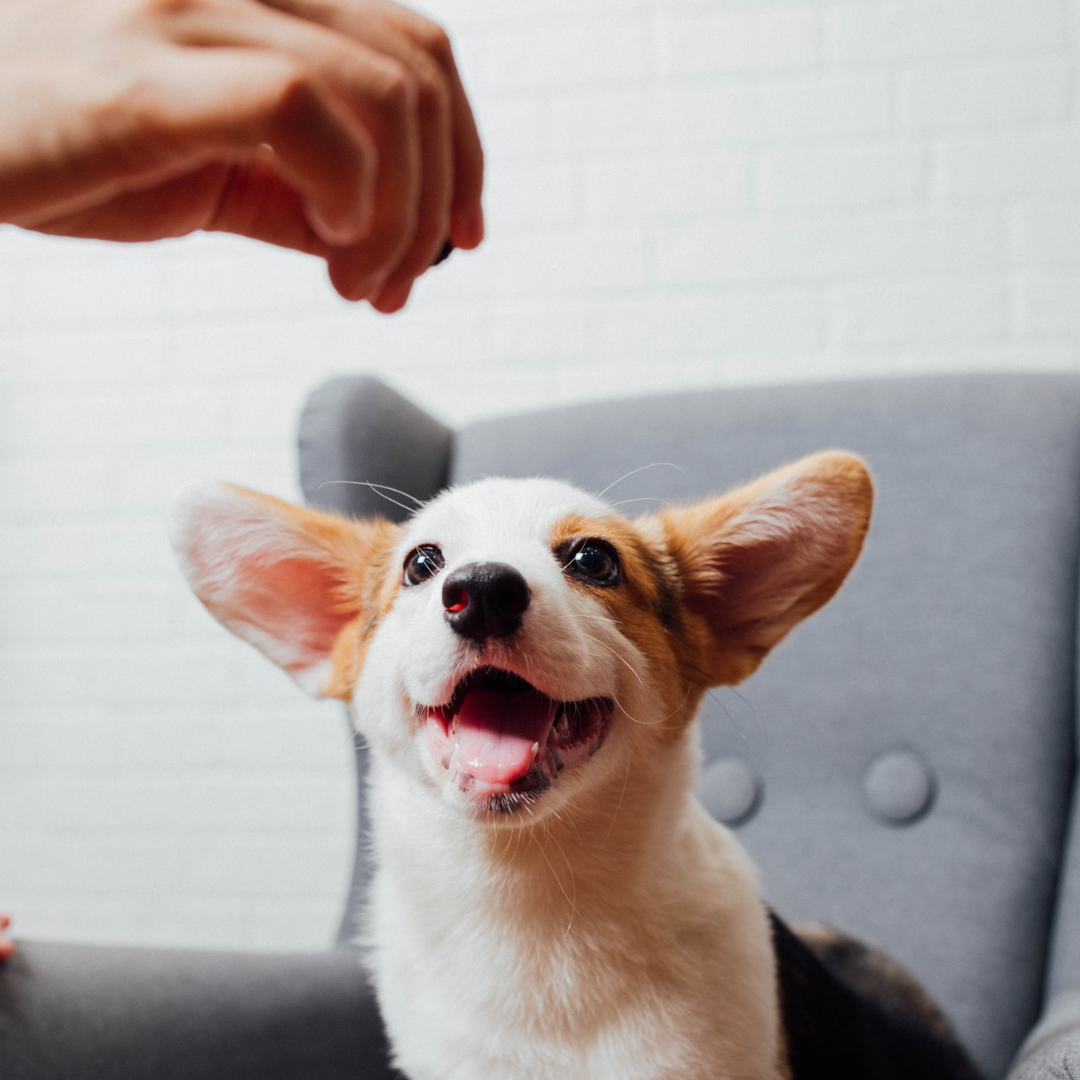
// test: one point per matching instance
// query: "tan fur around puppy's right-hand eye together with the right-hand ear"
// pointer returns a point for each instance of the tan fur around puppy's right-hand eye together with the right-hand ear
(710, 589)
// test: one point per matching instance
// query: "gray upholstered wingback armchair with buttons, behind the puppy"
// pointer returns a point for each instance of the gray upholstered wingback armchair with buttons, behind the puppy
(902, 768)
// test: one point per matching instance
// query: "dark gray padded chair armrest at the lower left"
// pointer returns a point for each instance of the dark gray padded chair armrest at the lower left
(75, 1012)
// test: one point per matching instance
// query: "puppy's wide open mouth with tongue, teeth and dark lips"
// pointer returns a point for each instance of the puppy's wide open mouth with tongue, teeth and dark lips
(499, 735)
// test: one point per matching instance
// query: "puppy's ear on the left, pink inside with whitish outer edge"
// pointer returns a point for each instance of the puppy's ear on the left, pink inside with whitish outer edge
(302, 587)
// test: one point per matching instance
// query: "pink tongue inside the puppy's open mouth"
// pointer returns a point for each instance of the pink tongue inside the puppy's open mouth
(497, 732)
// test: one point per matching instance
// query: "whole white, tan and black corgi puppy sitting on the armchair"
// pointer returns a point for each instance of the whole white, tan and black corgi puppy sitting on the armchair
(550, 901)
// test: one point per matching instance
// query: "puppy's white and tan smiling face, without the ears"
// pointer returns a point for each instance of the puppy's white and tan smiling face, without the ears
(525, 636)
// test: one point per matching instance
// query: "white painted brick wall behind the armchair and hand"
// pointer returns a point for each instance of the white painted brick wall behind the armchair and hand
(681, 193)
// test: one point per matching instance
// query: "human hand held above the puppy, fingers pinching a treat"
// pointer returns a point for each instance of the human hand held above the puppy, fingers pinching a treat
(339, 128)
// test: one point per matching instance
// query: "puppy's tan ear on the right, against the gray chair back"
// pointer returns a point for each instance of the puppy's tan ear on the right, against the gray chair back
(761, 559)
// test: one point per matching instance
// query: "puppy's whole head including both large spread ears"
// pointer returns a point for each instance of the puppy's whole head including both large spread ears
(518, 644)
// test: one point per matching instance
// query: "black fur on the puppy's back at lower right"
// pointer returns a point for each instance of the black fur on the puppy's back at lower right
(850, 1014)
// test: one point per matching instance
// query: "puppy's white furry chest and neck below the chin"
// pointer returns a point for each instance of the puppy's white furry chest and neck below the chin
(672, 977)
